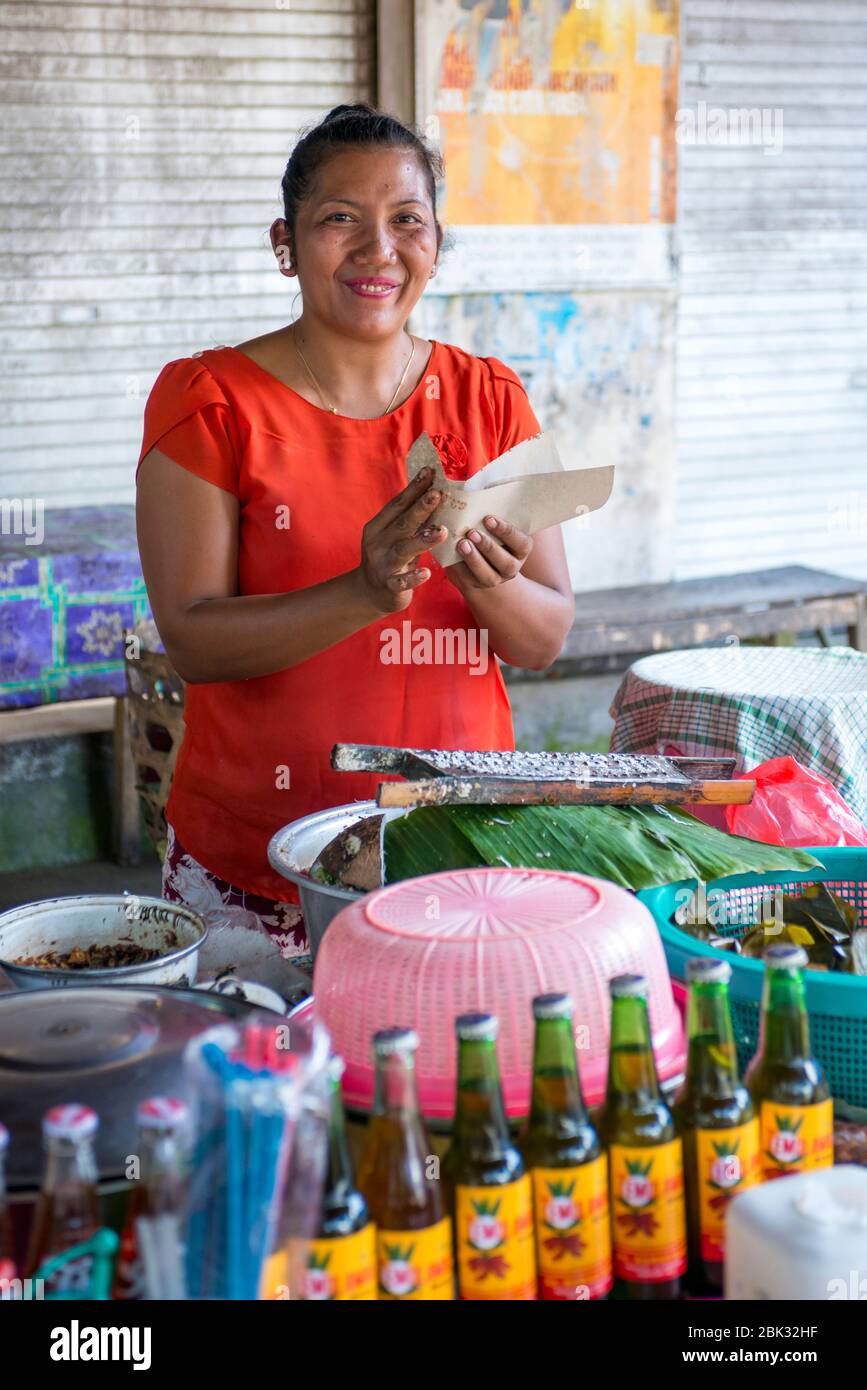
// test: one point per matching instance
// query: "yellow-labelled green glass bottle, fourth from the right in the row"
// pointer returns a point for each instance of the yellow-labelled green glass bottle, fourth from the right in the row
(568, 1167)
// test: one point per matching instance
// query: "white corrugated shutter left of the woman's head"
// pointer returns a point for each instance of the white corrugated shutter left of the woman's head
(142, 149)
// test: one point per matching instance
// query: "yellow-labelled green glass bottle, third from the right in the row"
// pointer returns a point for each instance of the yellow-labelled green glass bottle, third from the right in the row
(645, 1157)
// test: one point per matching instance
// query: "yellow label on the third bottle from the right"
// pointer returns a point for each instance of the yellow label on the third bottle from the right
(650, 1216)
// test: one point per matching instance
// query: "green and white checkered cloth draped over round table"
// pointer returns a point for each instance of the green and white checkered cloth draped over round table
(752, 704)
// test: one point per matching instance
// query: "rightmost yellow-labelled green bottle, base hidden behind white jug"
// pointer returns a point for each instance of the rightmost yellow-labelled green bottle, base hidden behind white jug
(787, 1084)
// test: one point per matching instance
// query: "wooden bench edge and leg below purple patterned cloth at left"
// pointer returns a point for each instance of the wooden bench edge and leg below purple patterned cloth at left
(104, 715)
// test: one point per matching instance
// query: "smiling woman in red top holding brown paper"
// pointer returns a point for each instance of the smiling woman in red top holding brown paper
(284, 554)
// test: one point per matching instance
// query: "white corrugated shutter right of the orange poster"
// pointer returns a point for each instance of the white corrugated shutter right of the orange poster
(772, 400)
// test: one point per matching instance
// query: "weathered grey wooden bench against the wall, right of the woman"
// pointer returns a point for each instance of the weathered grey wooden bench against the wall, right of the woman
(615, 625)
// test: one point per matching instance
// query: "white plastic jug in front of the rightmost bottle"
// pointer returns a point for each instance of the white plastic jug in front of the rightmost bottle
(802, 1238)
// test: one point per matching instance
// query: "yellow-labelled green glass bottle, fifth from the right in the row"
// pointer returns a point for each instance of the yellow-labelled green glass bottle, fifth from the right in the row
(487, 1177)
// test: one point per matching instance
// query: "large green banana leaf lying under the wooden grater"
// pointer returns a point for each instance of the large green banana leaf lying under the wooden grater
(636, 847)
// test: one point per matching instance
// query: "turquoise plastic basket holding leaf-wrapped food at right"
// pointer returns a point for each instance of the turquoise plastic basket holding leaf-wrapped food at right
(837, 1003)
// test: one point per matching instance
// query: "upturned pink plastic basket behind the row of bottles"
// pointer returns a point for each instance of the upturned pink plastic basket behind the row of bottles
(420, 953)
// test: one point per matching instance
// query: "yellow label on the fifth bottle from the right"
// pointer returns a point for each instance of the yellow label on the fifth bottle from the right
(495, 1242)
